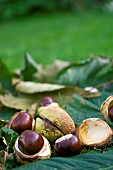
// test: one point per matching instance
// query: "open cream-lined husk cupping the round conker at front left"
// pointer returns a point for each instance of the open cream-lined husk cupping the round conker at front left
(44, 153)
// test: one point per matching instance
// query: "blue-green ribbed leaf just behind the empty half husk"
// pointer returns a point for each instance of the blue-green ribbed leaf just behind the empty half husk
(80, 108)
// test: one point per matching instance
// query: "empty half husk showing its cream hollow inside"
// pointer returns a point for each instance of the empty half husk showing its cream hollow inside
(94, 132)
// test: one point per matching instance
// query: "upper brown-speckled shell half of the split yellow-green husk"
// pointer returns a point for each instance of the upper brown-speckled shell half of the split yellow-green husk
(55, 114)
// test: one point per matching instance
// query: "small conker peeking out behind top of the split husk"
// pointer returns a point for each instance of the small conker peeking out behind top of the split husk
(46, 101)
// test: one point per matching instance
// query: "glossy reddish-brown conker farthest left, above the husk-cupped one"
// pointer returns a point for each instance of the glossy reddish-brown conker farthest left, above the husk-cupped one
(21, 121)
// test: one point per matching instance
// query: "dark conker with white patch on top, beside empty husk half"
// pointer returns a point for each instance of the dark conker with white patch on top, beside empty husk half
(68, 145)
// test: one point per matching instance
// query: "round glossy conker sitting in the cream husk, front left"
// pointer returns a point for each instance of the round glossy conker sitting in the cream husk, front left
(30, 142)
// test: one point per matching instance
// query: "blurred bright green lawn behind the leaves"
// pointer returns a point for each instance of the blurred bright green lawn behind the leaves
(68, 36)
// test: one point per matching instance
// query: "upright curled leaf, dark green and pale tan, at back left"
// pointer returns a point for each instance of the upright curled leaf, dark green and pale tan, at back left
(31, 71)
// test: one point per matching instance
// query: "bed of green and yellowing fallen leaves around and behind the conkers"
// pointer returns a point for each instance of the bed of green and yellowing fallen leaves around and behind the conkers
(66, 82)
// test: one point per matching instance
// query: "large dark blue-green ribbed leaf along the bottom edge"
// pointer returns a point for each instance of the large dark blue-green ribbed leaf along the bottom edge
(85, 161)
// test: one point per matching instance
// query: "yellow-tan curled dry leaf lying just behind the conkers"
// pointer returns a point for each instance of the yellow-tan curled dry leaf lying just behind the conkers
(34, 92)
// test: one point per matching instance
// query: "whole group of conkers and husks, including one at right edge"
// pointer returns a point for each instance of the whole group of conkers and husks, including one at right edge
(53, 126)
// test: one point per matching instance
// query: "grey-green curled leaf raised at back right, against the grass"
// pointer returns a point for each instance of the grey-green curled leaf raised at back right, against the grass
(80, 73)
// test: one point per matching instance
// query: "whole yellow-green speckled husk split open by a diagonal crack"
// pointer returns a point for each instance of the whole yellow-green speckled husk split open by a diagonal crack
(55, 119)
